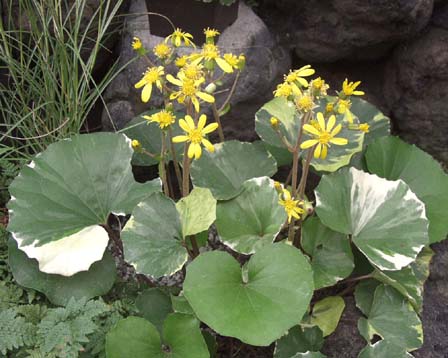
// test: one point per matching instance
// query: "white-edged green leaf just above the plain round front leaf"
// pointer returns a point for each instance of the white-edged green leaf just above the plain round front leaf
(251, 220)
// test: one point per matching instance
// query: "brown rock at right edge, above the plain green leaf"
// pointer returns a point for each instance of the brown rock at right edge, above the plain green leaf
(416, 88)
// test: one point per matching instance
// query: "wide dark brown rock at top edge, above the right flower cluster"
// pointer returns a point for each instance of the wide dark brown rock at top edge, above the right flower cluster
(330, 30)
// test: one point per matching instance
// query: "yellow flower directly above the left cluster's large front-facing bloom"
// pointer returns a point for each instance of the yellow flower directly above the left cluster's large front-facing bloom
(189, 89)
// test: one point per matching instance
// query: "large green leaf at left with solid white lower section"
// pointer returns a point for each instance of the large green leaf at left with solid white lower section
(58, 200)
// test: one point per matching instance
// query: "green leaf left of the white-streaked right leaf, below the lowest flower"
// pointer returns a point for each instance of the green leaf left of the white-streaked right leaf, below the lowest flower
(331, 255)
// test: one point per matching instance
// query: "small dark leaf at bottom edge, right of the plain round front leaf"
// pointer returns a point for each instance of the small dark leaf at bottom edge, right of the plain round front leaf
(299, 340)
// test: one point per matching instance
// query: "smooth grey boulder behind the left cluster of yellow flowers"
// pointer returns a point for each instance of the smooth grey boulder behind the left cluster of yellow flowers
(266, 62)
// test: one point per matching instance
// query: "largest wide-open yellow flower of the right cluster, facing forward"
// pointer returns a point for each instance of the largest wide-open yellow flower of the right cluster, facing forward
(323, 136)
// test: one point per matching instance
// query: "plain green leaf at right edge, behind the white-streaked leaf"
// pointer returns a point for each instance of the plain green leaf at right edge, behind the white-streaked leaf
(393, 159)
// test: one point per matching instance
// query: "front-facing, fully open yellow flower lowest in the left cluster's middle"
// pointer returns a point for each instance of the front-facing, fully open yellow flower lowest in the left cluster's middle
(196, 135)
